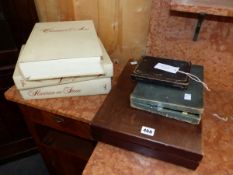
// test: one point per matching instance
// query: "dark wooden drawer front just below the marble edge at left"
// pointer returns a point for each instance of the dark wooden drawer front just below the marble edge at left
(61, 123)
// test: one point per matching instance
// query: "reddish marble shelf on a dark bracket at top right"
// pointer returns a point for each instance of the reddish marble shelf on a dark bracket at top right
(213, 7)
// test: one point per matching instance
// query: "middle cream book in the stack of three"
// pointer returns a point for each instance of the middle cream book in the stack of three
(22, 83)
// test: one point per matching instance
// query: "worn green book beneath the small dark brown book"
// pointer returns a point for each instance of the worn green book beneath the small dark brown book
(185, 105)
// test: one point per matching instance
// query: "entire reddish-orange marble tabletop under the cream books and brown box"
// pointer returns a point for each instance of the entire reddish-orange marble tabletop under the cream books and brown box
(217, 128)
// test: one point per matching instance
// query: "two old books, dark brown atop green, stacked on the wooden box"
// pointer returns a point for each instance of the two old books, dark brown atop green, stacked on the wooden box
(167, 91)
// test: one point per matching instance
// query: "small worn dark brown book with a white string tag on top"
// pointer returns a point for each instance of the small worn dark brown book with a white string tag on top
(146, 72)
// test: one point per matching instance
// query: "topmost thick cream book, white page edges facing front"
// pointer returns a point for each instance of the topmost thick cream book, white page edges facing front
(61, 49)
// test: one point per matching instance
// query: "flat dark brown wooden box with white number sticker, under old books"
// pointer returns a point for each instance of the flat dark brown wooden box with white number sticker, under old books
(119, 124)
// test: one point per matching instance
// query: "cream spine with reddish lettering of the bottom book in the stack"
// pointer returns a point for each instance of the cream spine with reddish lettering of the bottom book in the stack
(84, 88)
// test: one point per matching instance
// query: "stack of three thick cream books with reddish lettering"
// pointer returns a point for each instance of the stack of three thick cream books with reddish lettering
(62, 59)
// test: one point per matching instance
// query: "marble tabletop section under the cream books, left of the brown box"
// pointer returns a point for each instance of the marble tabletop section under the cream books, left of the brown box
(81, 108)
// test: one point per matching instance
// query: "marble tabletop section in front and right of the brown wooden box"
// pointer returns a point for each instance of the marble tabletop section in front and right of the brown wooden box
(217, 146)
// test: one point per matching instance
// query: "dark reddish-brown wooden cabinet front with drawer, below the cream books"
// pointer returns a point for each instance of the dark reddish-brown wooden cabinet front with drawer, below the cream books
(65, 144)
